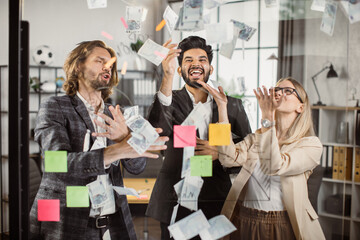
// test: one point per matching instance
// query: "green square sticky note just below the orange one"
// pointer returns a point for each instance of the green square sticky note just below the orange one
(201, 165)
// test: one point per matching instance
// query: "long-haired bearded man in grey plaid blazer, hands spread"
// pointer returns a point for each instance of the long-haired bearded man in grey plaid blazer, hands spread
(64, 123)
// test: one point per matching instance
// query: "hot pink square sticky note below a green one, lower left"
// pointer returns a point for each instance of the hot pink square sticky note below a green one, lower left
(49, 210)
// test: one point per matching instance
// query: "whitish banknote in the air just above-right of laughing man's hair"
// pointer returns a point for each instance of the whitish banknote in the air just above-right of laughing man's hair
(219, 32)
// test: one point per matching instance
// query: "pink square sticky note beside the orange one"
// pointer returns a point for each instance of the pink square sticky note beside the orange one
(184, 136)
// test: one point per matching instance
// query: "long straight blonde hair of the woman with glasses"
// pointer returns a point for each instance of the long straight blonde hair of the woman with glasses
(303, 124)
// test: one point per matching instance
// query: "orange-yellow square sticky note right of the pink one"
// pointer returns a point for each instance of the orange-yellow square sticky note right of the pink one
(219, 134)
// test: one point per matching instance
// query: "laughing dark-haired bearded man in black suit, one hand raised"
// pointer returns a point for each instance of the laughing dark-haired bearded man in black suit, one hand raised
(171, 108)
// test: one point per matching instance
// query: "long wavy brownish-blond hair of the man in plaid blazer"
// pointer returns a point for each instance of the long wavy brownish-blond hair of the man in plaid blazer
(78, 56)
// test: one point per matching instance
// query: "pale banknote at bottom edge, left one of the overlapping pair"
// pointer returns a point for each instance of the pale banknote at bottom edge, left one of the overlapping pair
(189, 226)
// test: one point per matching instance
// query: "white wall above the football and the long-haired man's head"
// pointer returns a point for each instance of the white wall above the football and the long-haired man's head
(61, 24)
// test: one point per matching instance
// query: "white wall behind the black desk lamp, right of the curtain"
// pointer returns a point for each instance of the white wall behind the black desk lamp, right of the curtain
(342, 50)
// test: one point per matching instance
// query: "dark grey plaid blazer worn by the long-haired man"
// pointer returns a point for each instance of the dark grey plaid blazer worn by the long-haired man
(61, 125)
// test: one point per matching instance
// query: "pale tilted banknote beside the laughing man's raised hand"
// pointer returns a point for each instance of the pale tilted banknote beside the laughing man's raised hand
(153, 52)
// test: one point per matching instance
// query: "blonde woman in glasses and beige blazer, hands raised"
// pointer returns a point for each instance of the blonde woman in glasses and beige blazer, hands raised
(269, 197)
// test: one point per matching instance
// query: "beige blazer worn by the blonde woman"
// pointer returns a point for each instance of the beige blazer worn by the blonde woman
(293, 163)
